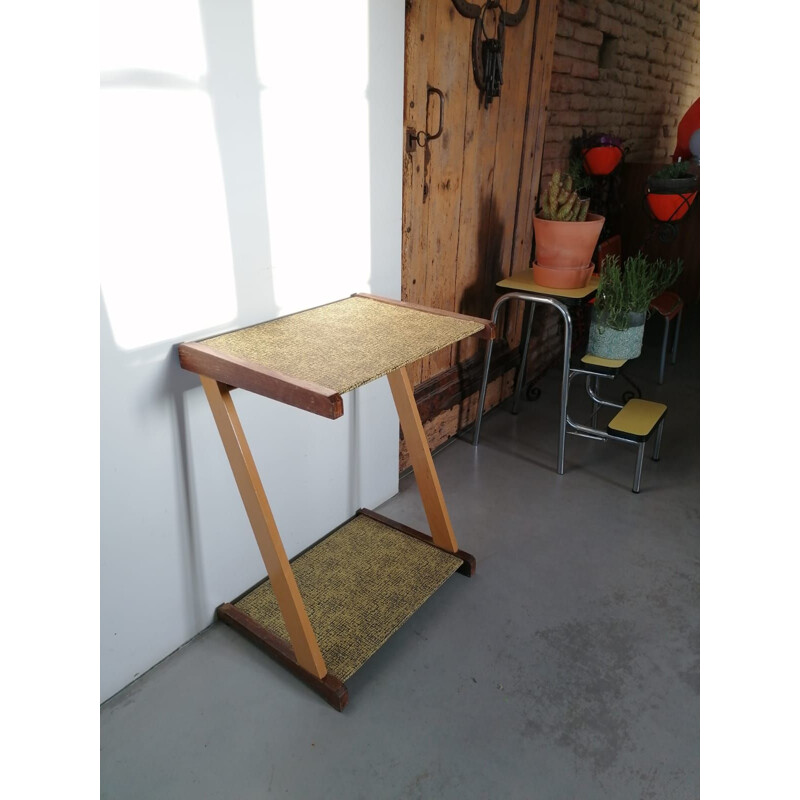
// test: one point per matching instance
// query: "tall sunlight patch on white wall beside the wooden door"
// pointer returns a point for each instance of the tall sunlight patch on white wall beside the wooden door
(316, 153)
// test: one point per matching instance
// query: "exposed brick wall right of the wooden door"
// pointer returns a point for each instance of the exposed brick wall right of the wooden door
(652, 78)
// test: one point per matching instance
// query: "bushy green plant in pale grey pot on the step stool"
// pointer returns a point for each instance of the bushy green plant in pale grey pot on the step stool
(623, 298)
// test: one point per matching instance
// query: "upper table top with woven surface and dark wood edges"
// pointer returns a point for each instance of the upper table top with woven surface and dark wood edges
(309, 359)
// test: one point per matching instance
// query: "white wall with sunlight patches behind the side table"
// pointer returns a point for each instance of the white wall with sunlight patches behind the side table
(250, 167)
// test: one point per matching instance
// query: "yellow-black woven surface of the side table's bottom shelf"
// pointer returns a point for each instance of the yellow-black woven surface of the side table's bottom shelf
(359, 585)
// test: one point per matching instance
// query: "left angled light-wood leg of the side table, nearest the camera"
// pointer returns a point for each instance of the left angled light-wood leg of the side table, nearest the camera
(301, 634)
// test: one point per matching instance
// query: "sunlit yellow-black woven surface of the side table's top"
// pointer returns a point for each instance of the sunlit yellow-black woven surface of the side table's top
(345, 344)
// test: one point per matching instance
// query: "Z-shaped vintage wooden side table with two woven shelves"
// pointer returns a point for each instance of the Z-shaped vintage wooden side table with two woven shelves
(325, 613)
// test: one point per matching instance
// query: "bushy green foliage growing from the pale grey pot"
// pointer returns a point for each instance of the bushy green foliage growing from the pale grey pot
(632, 288)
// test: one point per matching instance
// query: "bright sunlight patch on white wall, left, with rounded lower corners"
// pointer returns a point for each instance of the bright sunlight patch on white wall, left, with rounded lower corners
(165, 252)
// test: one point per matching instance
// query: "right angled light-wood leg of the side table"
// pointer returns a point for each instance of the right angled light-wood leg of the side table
(421, 460)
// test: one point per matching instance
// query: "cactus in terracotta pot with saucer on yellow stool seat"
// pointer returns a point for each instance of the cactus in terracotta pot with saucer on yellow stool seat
(565, 234)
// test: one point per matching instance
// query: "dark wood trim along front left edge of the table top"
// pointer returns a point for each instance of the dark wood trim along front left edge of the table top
(243, 374)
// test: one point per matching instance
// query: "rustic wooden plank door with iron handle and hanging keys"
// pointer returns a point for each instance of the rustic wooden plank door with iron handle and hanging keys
(469, 194)
